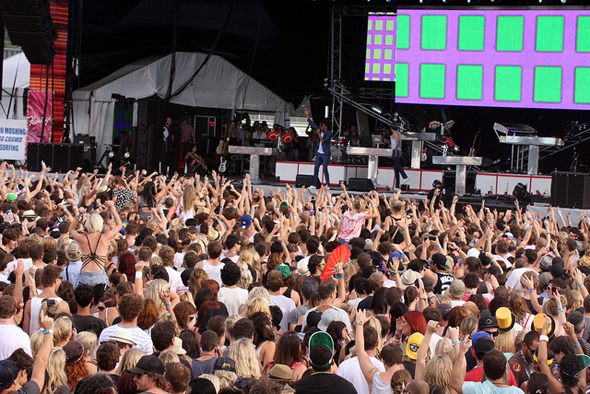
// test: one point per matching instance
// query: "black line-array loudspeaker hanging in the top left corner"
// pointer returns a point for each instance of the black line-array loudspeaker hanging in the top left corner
(29, 24)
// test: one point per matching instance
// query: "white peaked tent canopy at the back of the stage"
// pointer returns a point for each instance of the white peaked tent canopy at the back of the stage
(219, 84)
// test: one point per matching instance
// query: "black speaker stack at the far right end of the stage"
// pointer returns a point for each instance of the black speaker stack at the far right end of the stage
(570, 189)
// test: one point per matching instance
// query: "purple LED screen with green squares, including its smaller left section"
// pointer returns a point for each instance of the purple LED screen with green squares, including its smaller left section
(496, 58)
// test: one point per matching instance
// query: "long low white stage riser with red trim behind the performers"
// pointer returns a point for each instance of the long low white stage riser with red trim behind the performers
(418, 180)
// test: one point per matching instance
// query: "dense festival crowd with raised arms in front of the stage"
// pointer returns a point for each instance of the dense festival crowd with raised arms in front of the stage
(134, 283)
